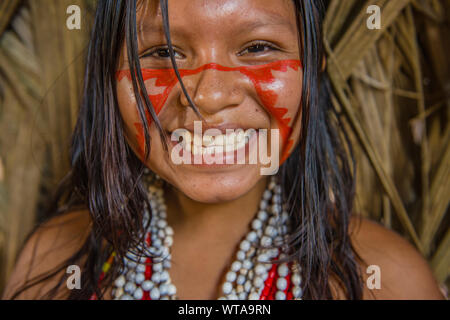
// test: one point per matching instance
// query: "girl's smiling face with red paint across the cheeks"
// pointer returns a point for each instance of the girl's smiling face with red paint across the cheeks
(239, 61)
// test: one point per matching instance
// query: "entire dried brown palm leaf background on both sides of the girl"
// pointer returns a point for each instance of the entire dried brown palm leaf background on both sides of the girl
(392, 88)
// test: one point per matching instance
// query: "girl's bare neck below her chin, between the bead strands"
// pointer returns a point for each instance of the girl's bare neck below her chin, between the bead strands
(205, 221)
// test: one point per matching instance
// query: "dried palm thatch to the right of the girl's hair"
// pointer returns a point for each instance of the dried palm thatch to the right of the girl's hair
(398, 119)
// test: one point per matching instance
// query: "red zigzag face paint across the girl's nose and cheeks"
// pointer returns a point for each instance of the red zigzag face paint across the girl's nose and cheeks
(259, 75)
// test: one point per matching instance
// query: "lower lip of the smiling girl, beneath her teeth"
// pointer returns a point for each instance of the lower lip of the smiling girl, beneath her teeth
(227, 157)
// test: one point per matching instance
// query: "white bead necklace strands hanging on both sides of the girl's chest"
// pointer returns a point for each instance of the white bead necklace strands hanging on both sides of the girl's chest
(247, 275)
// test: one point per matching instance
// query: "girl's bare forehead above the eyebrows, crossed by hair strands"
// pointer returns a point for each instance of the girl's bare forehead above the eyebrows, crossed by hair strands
(217, 16)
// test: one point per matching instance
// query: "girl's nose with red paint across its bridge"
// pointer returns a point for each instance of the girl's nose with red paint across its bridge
(214, 88)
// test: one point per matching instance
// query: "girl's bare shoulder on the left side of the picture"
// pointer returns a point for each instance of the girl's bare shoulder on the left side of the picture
(45, 251)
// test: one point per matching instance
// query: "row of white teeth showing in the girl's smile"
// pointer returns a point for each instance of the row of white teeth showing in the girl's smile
(208, 144)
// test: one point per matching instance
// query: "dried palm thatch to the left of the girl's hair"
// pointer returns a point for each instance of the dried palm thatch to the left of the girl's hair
(41, 69)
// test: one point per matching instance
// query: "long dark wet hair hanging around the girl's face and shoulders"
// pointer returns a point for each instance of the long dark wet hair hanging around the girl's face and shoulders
(317, 179)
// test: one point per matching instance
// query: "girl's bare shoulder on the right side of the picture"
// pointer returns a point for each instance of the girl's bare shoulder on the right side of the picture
(404, 273)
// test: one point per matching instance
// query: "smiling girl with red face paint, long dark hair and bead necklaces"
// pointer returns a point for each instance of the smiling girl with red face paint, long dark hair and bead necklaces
(140, 224)
